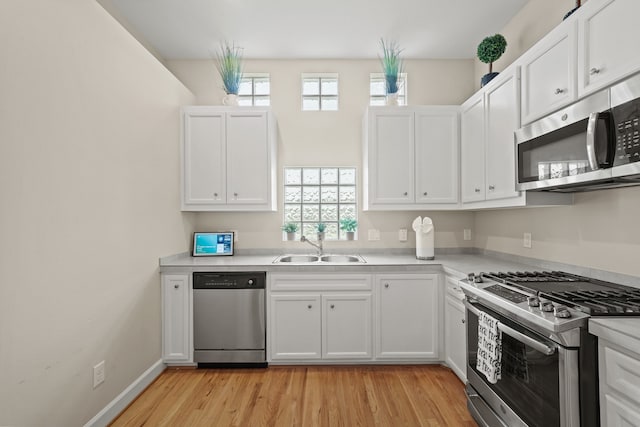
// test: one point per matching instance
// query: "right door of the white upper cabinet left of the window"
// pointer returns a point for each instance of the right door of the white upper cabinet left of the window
(248, 158)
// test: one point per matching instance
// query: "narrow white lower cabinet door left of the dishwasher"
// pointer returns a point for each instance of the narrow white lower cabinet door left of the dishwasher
(175, 318)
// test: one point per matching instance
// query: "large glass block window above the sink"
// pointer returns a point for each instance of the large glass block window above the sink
(320, 194)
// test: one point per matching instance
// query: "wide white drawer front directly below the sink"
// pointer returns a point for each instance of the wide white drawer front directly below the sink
(320, 282)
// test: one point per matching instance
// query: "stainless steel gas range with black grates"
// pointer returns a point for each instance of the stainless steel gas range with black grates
(549, 366)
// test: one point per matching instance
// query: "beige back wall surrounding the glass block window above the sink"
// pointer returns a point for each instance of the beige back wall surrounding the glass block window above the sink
(333, 138)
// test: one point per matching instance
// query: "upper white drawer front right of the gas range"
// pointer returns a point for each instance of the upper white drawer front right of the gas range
(622, 372)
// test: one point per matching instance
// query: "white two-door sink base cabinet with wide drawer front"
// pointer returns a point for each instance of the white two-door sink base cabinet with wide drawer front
(320, 317)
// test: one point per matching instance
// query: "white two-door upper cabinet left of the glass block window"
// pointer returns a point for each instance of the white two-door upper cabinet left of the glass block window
(229, 159)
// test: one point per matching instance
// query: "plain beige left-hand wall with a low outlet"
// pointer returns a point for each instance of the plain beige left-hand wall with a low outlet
(89, 152)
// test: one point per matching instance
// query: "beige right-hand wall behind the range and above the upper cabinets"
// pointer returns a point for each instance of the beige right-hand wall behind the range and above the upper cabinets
(597, 231)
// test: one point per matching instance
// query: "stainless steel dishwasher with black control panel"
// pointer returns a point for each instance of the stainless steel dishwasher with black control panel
(229, 324)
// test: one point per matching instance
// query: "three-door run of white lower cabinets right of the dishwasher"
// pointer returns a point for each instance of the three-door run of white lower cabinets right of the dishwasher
(354, 317)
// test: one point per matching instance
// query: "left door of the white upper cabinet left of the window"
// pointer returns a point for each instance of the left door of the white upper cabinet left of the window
(204, 152)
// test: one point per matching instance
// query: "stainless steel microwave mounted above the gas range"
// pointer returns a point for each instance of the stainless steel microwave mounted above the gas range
(590, 145)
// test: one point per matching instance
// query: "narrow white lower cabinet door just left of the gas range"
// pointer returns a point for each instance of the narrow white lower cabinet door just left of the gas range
(455, 336)
